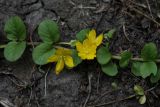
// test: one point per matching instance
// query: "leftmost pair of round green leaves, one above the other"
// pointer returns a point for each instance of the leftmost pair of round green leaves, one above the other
(16, 34)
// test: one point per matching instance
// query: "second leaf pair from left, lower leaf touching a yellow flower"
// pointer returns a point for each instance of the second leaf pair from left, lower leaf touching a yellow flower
(49, 33)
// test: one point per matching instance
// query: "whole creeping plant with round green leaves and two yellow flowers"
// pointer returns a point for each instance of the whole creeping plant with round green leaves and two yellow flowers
(86, 47)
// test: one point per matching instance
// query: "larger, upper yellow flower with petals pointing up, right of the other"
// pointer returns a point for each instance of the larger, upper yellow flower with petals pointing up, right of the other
(87, 49)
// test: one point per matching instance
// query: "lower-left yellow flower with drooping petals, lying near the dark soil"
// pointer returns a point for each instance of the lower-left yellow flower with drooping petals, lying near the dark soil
(63, 57)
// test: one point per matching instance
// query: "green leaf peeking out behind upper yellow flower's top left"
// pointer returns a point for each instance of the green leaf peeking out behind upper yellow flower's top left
(82, 34)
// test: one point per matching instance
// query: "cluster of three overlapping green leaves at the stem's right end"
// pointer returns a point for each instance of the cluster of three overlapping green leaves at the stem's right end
(149, 54)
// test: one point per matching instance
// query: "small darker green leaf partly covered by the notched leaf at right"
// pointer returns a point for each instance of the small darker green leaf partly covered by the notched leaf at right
(135, 69)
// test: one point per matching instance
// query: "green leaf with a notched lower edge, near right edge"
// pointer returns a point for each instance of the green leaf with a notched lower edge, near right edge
(148, 68)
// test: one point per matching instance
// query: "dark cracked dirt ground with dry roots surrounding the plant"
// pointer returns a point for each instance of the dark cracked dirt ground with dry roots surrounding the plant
(23, 84)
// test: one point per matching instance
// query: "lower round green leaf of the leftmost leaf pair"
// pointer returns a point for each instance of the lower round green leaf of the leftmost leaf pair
(14, 50)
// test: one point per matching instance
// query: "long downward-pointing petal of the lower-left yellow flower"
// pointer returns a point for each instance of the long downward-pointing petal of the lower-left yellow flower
(59, 65)
